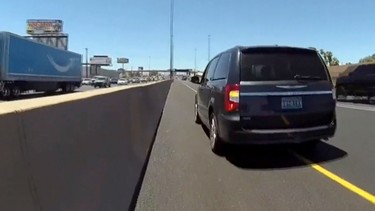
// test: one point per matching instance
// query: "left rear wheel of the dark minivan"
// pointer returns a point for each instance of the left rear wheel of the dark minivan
(216, 144)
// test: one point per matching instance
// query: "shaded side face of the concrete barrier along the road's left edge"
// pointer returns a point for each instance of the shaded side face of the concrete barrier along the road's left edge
(79, 155)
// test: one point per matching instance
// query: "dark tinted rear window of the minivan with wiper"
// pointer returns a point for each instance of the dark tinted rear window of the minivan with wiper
(281, 64)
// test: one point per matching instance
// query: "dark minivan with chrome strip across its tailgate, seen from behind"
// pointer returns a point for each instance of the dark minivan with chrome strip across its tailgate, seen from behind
(266, 95)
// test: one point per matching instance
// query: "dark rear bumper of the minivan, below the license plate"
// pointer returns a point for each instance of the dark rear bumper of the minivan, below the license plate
(230, 131)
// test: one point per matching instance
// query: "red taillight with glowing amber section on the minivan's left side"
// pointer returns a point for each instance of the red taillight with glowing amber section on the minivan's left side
(232, 97)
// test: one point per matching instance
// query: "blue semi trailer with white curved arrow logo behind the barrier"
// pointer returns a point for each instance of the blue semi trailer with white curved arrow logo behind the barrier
(28, 65)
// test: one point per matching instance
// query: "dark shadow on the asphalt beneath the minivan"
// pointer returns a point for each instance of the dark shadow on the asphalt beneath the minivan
(280, 156)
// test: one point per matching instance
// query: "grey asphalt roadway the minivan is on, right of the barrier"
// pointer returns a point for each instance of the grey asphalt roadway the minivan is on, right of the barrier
(183, 173)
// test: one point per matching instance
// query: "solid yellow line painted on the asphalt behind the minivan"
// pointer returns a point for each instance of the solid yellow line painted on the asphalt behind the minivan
(364, 194)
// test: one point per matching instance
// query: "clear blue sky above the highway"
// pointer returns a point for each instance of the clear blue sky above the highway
(139, 29)
